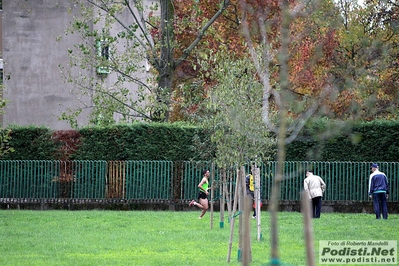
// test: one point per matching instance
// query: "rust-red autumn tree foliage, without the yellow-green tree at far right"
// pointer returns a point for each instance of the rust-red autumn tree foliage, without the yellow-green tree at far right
(314, 40)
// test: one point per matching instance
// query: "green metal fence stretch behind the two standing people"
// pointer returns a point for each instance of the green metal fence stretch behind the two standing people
(344, 180)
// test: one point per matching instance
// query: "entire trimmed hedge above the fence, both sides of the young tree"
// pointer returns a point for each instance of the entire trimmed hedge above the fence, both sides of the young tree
(368, 141)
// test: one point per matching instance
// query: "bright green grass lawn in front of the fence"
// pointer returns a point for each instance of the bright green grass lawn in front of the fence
(165, 238)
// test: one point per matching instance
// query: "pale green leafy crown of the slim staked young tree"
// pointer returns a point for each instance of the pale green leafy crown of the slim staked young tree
(233, 112)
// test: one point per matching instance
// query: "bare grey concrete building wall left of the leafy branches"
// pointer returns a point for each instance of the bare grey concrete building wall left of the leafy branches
(32, 54)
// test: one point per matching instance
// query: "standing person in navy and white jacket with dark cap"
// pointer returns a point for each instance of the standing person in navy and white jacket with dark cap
(378, 191)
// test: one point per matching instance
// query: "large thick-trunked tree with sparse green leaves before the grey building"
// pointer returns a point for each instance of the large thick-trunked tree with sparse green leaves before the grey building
(121, 39)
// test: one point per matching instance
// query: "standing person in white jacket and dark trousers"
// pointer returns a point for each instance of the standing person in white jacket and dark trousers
(314, 186)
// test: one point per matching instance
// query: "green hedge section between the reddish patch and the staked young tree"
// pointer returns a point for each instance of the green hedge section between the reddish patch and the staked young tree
(139, 141)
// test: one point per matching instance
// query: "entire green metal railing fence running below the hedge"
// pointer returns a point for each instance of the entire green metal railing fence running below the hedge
(176, 181)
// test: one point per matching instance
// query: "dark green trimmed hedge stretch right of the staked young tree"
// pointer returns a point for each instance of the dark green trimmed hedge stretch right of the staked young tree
(368, 141)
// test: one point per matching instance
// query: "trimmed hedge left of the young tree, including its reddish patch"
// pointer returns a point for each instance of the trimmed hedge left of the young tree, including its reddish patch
(137, 141)
